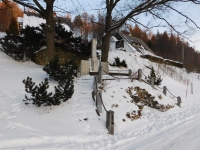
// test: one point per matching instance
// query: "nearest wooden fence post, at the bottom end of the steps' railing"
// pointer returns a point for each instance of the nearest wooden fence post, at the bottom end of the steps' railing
(110, 121)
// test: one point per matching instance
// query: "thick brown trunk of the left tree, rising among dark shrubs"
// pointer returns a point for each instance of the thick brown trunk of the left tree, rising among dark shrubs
(49, 30)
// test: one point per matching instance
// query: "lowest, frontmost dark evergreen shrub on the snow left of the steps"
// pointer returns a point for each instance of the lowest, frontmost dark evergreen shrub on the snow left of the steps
(40, 96)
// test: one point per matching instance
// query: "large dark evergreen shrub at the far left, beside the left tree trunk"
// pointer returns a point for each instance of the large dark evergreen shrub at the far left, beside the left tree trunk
(22, 47)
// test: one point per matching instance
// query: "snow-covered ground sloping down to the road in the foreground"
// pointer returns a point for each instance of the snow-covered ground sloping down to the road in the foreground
(27, 127)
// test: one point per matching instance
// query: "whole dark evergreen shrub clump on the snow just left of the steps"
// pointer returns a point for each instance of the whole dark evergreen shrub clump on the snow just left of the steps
(64, 73)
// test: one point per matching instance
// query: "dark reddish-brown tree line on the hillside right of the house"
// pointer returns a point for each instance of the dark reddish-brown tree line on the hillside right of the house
(170, 46)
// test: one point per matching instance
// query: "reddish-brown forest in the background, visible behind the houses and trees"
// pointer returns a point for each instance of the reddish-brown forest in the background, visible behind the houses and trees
(167, 45)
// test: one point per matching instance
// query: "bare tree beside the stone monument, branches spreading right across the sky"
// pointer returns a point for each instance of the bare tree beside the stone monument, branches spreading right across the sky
(130, 10)
